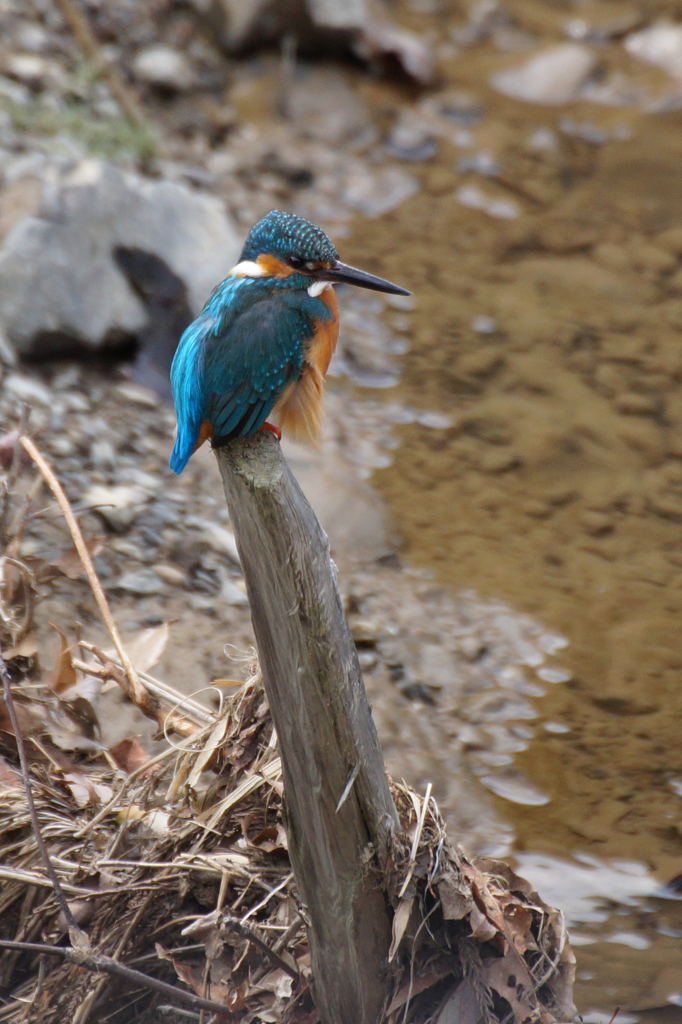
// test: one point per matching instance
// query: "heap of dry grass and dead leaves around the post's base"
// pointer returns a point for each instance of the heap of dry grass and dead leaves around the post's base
(177, 866)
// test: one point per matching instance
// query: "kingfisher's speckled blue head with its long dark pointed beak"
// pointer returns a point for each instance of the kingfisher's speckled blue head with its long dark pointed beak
(282, 246)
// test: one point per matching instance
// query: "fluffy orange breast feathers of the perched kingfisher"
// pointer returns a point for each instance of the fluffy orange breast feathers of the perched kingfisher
(300, 411)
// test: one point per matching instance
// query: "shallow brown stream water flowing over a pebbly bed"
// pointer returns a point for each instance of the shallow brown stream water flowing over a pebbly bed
(560, 485)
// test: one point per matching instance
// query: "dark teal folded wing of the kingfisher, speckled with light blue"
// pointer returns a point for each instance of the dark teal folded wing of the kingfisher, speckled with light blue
(249, 362)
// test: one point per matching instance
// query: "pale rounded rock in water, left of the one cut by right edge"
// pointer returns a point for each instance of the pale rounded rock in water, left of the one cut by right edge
(552, 77)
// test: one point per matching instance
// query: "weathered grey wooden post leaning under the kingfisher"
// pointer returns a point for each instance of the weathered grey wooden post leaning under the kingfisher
(339, 810)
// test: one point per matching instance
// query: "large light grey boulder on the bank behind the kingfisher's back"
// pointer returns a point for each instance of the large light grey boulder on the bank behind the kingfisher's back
(58, 276)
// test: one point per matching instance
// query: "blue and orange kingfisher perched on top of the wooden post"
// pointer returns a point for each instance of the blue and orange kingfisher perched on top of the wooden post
(265, 340)
